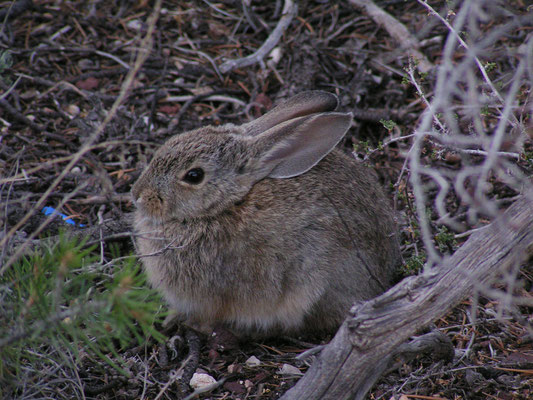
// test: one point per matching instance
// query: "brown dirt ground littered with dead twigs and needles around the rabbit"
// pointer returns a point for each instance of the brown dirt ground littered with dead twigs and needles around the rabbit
(65, 64)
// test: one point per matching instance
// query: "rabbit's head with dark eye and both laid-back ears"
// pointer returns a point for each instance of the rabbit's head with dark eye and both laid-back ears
(202, 172)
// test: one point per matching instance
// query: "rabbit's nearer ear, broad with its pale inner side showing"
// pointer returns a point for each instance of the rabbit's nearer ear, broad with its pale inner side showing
(293, 147)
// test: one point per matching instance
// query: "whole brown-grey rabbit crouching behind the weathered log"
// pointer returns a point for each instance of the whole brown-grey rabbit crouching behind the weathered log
(265, 227)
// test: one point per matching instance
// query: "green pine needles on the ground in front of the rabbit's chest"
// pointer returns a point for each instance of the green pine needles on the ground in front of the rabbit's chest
(61, 310)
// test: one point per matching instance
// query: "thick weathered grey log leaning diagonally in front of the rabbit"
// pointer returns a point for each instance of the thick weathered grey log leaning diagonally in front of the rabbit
(363, 346)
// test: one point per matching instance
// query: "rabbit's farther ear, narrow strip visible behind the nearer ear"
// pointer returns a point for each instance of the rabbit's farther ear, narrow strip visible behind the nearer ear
(305, 103)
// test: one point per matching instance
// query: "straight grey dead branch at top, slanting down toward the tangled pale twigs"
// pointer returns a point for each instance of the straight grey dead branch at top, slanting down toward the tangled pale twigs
(397, 30)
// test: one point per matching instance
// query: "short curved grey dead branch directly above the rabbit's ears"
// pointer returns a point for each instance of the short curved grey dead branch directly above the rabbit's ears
(289, 11)
